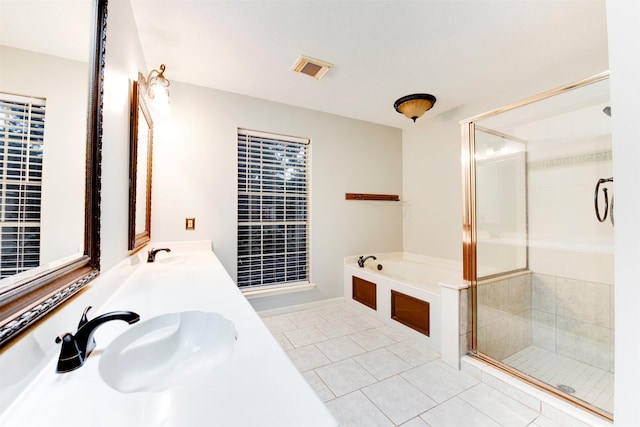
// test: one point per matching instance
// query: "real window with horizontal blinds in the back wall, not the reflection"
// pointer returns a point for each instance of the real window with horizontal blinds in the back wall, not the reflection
(273, 217)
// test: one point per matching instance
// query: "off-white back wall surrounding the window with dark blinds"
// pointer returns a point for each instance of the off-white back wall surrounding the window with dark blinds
(195, 175)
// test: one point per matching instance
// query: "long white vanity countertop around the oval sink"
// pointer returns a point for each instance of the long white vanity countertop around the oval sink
(257, 386)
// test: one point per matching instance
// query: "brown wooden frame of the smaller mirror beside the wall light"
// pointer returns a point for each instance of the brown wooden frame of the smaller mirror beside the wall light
(139, 105)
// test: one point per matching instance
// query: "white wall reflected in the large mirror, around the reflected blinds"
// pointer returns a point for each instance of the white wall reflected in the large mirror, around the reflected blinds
(64, 85)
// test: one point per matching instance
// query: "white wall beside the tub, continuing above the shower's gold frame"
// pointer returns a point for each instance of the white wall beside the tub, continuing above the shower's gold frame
(432, 224)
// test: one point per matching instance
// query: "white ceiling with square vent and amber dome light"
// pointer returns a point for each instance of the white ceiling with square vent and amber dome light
(380, 50)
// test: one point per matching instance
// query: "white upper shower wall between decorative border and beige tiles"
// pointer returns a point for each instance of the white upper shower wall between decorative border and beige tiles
(566, 239)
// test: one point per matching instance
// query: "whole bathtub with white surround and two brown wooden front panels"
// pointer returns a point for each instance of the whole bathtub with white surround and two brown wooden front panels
(421, 295)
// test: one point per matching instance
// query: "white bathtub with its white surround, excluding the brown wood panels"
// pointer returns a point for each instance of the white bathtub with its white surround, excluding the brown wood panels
(427, 281)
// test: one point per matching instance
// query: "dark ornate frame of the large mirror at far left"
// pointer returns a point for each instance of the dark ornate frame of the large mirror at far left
(32, 299)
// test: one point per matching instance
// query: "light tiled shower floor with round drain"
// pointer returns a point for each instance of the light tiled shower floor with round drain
(591, 384)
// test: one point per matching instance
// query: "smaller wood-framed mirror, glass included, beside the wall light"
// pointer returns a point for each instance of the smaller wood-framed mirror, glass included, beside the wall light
(140, 167)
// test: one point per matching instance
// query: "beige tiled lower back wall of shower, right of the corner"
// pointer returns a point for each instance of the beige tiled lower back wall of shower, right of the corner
(573, 318)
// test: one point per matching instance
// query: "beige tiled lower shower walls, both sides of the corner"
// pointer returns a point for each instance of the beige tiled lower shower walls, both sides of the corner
(566, 316)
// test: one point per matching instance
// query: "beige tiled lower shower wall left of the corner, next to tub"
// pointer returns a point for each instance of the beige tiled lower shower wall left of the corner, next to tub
(504, 315)
